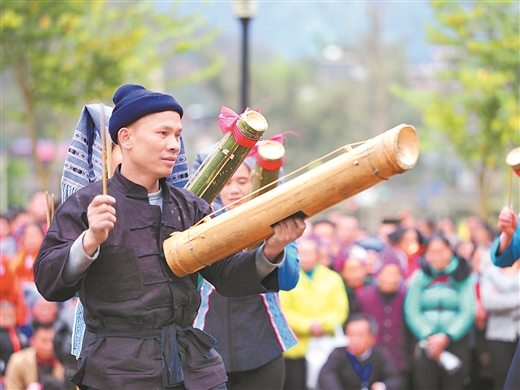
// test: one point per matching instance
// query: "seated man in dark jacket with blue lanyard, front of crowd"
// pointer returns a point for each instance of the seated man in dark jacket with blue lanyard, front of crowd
(364, 364)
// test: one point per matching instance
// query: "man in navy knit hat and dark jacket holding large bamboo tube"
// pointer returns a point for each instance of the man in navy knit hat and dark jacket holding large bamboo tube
(109, 248)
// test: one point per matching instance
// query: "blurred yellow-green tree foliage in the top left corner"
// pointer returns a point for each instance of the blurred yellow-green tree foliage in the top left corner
(67, 53)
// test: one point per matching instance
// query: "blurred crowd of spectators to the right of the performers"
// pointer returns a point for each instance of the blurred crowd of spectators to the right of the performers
(430, 298)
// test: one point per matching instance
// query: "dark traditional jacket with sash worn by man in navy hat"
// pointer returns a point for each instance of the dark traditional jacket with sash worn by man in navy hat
(141, 313)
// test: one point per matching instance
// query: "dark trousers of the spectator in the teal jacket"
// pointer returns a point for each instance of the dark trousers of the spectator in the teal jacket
(427, 374)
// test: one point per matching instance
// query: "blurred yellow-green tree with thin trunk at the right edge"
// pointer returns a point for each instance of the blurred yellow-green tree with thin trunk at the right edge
(476, 105)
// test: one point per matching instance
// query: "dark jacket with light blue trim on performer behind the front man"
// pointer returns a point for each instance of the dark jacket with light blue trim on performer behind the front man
(251, 331)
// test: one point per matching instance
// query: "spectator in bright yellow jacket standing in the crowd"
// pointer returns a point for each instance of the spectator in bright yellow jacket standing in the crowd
(313, 308)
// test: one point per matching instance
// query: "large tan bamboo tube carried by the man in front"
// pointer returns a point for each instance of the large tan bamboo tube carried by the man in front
(380, 158)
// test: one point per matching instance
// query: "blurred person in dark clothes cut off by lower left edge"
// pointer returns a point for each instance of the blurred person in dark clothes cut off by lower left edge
(11, 339)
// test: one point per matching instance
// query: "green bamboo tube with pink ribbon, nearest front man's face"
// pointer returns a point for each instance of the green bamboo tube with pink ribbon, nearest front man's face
(226, 157)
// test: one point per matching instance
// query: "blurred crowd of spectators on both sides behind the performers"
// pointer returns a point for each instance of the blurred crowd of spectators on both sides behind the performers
(408, 280)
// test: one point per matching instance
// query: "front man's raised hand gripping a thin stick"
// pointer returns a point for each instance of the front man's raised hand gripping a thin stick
(101, 220)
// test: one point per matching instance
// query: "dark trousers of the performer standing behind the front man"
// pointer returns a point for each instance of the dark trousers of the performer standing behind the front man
(269, 377)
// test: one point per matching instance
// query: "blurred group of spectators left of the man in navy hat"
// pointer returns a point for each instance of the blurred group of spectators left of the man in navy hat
(30, 335)
